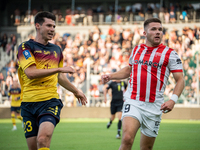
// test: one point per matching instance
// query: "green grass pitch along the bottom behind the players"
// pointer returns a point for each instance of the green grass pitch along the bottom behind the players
(92, 134)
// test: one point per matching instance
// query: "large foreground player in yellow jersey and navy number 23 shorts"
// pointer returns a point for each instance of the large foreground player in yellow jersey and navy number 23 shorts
(40, 69)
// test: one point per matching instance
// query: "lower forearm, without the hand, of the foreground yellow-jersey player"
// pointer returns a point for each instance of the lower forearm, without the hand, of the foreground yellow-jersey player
(64, 82)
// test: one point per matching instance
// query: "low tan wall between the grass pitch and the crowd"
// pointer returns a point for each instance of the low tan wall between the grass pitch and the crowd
(104, 112)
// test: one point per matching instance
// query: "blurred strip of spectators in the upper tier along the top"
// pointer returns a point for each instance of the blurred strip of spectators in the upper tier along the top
(129, 13)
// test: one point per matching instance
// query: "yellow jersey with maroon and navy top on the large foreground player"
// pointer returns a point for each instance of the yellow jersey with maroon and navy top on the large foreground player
(44, 57)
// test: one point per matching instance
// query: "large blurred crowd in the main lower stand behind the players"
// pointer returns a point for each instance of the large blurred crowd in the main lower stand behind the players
(107, 52)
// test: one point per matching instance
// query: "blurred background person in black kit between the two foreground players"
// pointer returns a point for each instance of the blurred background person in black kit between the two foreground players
(118, 88)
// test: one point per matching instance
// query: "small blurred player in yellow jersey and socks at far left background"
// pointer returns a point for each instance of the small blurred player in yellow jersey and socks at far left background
(14, 96)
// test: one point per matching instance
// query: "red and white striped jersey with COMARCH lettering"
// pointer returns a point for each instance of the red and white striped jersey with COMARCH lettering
(151, 67)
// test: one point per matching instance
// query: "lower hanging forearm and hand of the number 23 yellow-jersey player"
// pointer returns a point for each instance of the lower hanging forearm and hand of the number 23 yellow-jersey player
(63, 81)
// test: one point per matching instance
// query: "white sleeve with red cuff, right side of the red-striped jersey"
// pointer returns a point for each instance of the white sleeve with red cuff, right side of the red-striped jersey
(175, 63)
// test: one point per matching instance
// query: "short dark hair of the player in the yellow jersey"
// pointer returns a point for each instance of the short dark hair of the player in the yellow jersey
(39, 18)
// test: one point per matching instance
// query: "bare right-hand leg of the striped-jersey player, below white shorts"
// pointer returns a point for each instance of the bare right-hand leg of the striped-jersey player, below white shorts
(146, 143)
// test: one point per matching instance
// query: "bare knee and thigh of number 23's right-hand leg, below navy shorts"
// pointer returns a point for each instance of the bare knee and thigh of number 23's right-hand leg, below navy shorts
(45, 134)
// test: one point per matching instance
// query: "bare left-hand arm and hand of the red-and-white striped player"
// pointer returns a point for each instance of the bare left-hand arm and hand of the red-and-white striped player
(121, 74)
